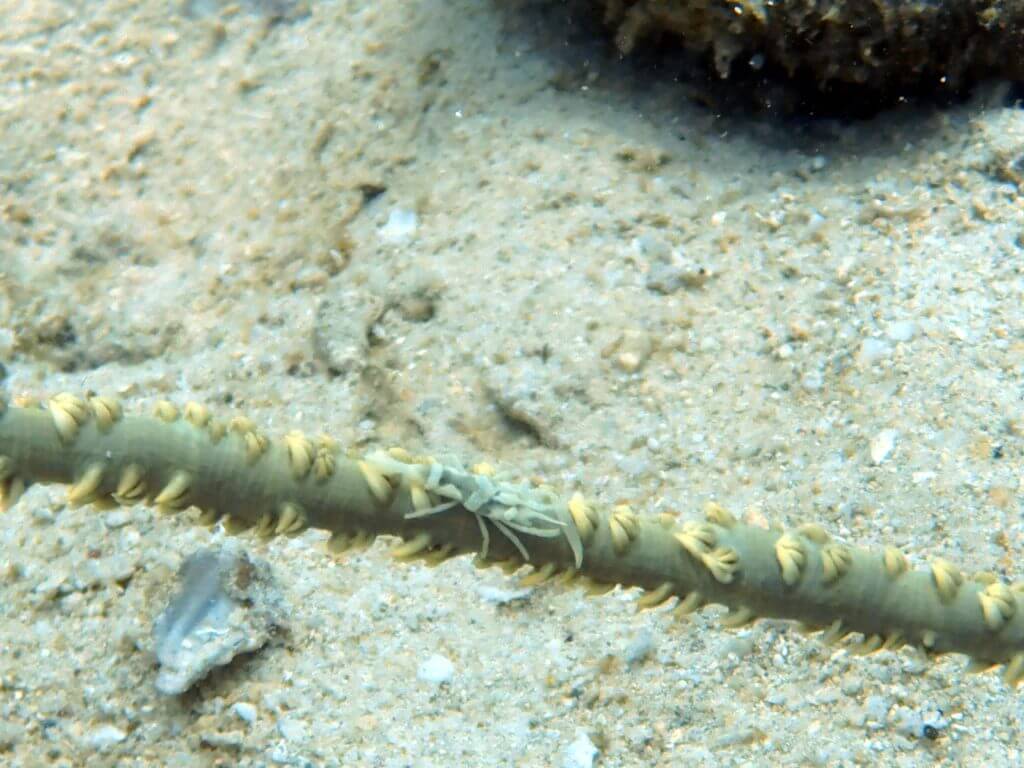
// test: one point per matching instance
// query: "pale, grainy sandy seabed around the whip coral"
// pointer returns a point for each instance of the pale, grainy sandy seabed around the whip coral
(467, 228)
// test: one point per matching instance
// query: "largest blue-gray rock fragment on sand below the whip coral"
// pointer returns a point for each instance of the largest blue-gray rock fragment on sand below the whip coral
(229, 605)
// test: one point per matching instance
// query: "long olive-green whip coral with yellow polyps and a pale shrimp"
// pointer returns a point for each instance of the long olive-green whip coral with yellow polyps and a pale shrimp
(233, 474)
